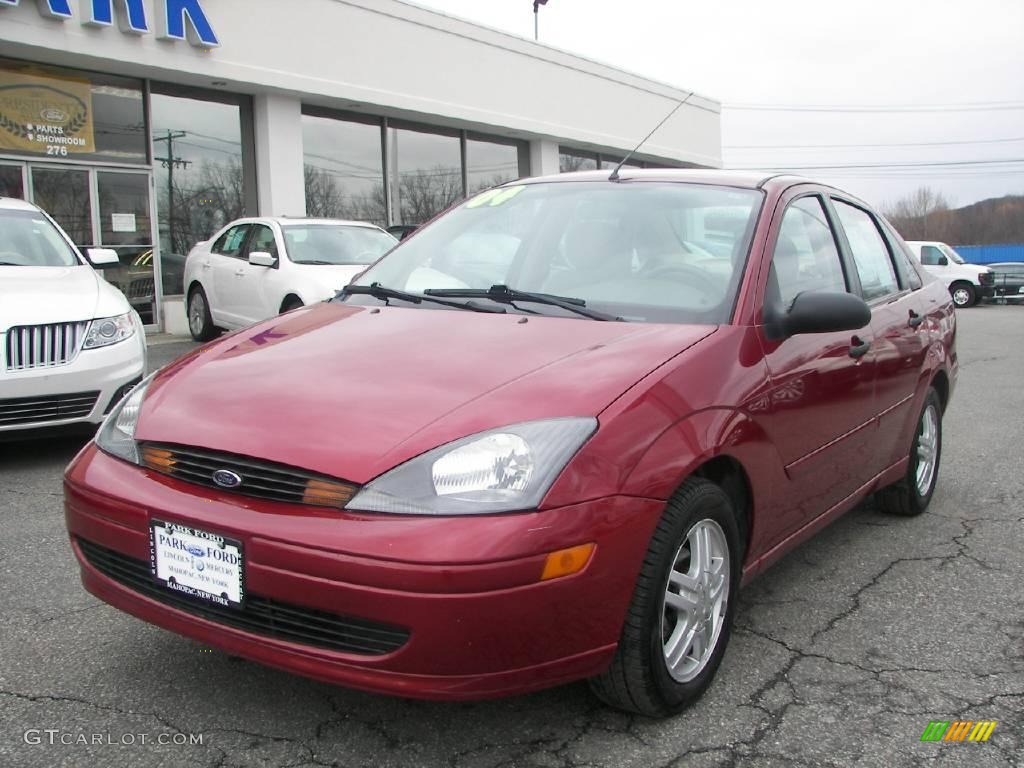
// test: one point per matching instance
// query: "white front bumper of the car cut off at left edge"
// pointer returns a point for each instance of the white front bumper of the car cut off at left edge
(26, 397)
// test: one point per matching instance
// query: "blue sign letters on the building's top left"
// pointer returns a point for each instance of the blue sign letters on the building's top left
(176, 20)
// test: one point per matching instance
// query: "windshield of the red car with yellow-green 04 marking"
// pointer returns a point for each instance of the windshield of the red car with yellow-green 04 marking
(644, 251)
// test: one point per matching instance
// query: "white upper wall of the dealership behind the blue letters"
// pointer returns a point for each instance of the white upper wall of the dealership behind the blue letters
(390, 58)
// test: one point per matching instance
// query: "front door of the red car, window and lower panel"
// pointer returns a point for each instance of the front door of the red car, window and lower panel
(821, 406)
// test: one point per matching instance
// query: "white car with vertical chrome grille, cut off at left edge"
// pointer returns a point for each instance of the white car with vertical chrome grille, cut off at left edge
(71, 346)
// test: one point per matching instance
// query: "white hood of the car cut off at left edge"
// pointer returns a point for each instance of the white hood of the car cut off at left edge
(37, 295)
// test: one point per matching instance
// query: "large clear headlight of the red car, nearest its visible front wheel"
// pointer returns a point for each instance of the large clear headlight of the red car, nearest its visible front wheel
(501, 471)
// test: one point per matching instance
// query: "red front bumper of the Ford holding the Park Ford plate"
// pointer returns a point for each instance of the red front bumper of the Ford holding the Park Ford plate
(467, 591)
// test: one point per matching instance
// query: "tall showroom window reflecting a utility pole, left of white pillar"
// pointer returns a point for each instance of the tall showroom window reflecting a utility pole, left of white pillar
(203, 170)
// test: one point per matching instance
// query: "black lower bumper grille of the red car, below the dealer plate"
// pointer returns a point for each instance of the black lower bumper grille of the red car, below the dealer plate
(260, 616)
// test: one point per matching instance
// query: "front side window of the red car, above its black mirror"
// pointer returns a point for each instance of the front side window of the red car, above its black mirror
(806, 258)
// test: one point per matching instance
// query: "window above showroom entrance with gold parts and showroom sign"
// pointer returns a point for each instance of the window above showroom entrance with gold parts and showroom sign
(57, 114)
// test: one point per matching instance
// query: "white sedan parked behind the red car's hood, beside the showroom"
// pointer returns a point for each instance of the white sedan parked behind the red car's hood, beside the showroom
(258, 268)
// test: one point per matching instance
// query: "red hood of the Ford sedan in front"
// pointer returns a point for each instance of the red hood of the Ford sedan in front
(352, 392)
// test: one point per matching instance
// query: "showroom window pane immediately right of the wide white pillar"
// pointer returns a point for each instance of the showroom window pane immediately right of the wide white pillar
(344, 168)
